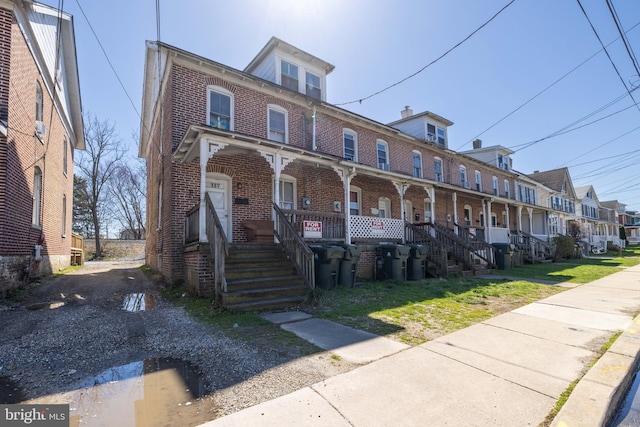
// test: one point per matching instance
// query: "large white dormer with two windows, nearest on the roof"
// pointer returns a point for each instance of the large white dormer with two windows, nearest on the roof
(286, 65)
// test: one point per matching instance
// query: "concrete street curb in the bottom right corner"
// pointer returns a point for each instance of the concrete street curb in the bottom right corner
(598, 394)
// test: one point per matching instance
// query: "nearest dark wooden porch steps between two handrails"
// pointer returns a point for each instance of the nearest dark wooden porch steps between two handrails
(260, 276)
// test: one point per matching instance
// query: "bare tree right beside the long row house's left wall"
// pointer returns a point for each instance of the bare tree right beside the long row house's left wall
(128, 191)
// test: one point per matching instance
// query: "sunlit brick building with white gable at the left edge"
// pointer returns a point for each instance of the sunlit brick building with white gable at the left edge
(40, 127)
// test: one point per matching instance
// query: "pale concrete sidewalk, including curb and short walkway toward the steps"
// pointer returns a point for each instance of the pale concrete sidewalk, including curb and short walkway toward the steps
(506, 371)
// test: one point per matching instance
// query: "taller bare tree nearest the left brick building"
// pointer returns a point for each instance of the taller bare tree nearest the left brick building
(98, 163)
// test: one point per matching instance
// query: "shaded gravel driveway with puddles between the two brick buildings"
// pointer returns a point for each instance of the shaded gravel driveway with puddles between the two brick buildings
(73, 328)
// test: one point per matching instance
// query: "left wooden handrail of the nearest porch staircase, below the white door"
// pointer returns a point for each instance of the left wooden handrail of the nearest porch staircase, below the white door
(218, 245)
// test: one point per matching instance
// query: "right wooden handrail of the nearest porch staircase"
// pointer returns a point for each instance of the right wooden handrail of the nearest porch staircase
(295, 247)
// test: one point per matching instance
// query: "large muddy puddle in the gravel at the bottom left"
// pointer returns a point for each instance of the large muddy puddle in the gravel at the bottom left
(150, 393)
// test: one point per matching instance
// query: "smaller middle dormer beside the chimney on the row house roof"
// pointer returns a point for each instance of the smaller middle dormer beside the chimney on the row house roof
(427, 126)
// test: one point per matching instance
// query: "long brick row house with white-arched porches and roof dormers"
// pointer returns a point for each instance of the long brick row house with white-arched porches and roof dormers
(227, 149)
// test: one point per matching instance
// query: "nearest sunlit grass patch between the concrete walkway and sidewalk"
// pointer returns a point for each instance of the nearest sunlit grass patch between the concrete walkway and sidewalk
(418, 311)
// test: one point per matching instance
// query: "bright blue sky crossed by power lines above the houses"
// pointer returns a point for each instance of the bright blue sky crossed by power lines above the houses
(375, 43)
